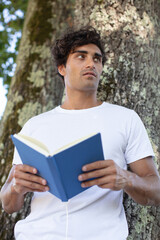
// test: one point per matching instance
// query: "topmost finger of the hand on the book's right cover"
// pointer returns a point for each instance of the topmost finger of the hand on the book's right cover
(97, 165)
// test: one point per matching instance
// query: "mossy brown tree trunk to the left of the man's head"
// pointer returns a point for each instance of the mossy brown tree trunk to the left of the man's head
(35, 87)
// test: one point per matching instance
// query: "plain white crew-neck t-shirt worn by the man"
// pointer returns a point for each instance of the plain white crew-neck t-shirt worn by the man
(95, 214)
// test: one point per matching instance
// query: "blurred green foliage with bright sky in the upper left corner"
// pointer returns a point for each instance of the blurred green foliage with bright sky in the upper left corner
(12, 14)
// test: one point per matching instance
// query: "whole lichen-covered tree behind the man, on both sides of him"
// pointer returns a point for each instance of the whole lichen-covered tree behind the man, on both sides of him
(131, 30)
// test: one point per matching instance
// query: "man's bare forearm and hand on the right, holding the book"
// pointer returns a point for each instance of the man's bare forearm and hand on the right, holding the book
(142, 184)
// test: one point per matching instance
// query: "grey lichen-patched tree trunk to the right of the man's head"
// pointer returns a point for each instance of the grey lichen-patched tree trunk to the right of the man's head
(131, 77)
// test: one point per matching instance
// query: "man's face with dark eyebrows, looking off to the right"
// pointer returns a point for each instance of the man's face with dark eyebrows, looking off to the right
(83, 68)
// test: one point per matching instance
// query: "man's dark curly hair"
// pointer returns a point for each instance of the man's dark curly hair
(76, 38)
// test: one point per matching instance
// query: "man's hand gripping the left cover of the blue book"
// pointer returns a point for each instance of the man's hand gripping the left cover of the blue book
(25, 180)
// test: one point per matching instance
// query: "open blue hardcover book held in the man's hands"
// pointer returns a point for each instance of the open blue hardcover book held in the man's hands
(62, 168)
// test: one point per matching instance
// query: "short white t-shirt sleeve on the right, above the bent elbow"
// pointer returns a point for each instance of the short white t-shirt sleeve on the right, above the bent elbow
(138, 143)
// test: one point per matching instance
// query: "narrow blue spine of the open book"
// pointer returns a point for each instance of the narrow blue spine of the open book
(58, 181)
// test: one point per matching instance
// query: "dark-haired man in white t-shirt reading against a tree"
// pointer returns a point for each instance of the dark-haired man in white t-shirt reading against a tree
(97, 213)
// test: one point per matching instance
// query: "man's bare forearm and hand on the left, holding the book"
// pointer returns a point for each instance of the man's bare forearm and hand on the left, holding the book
(21, 179)
